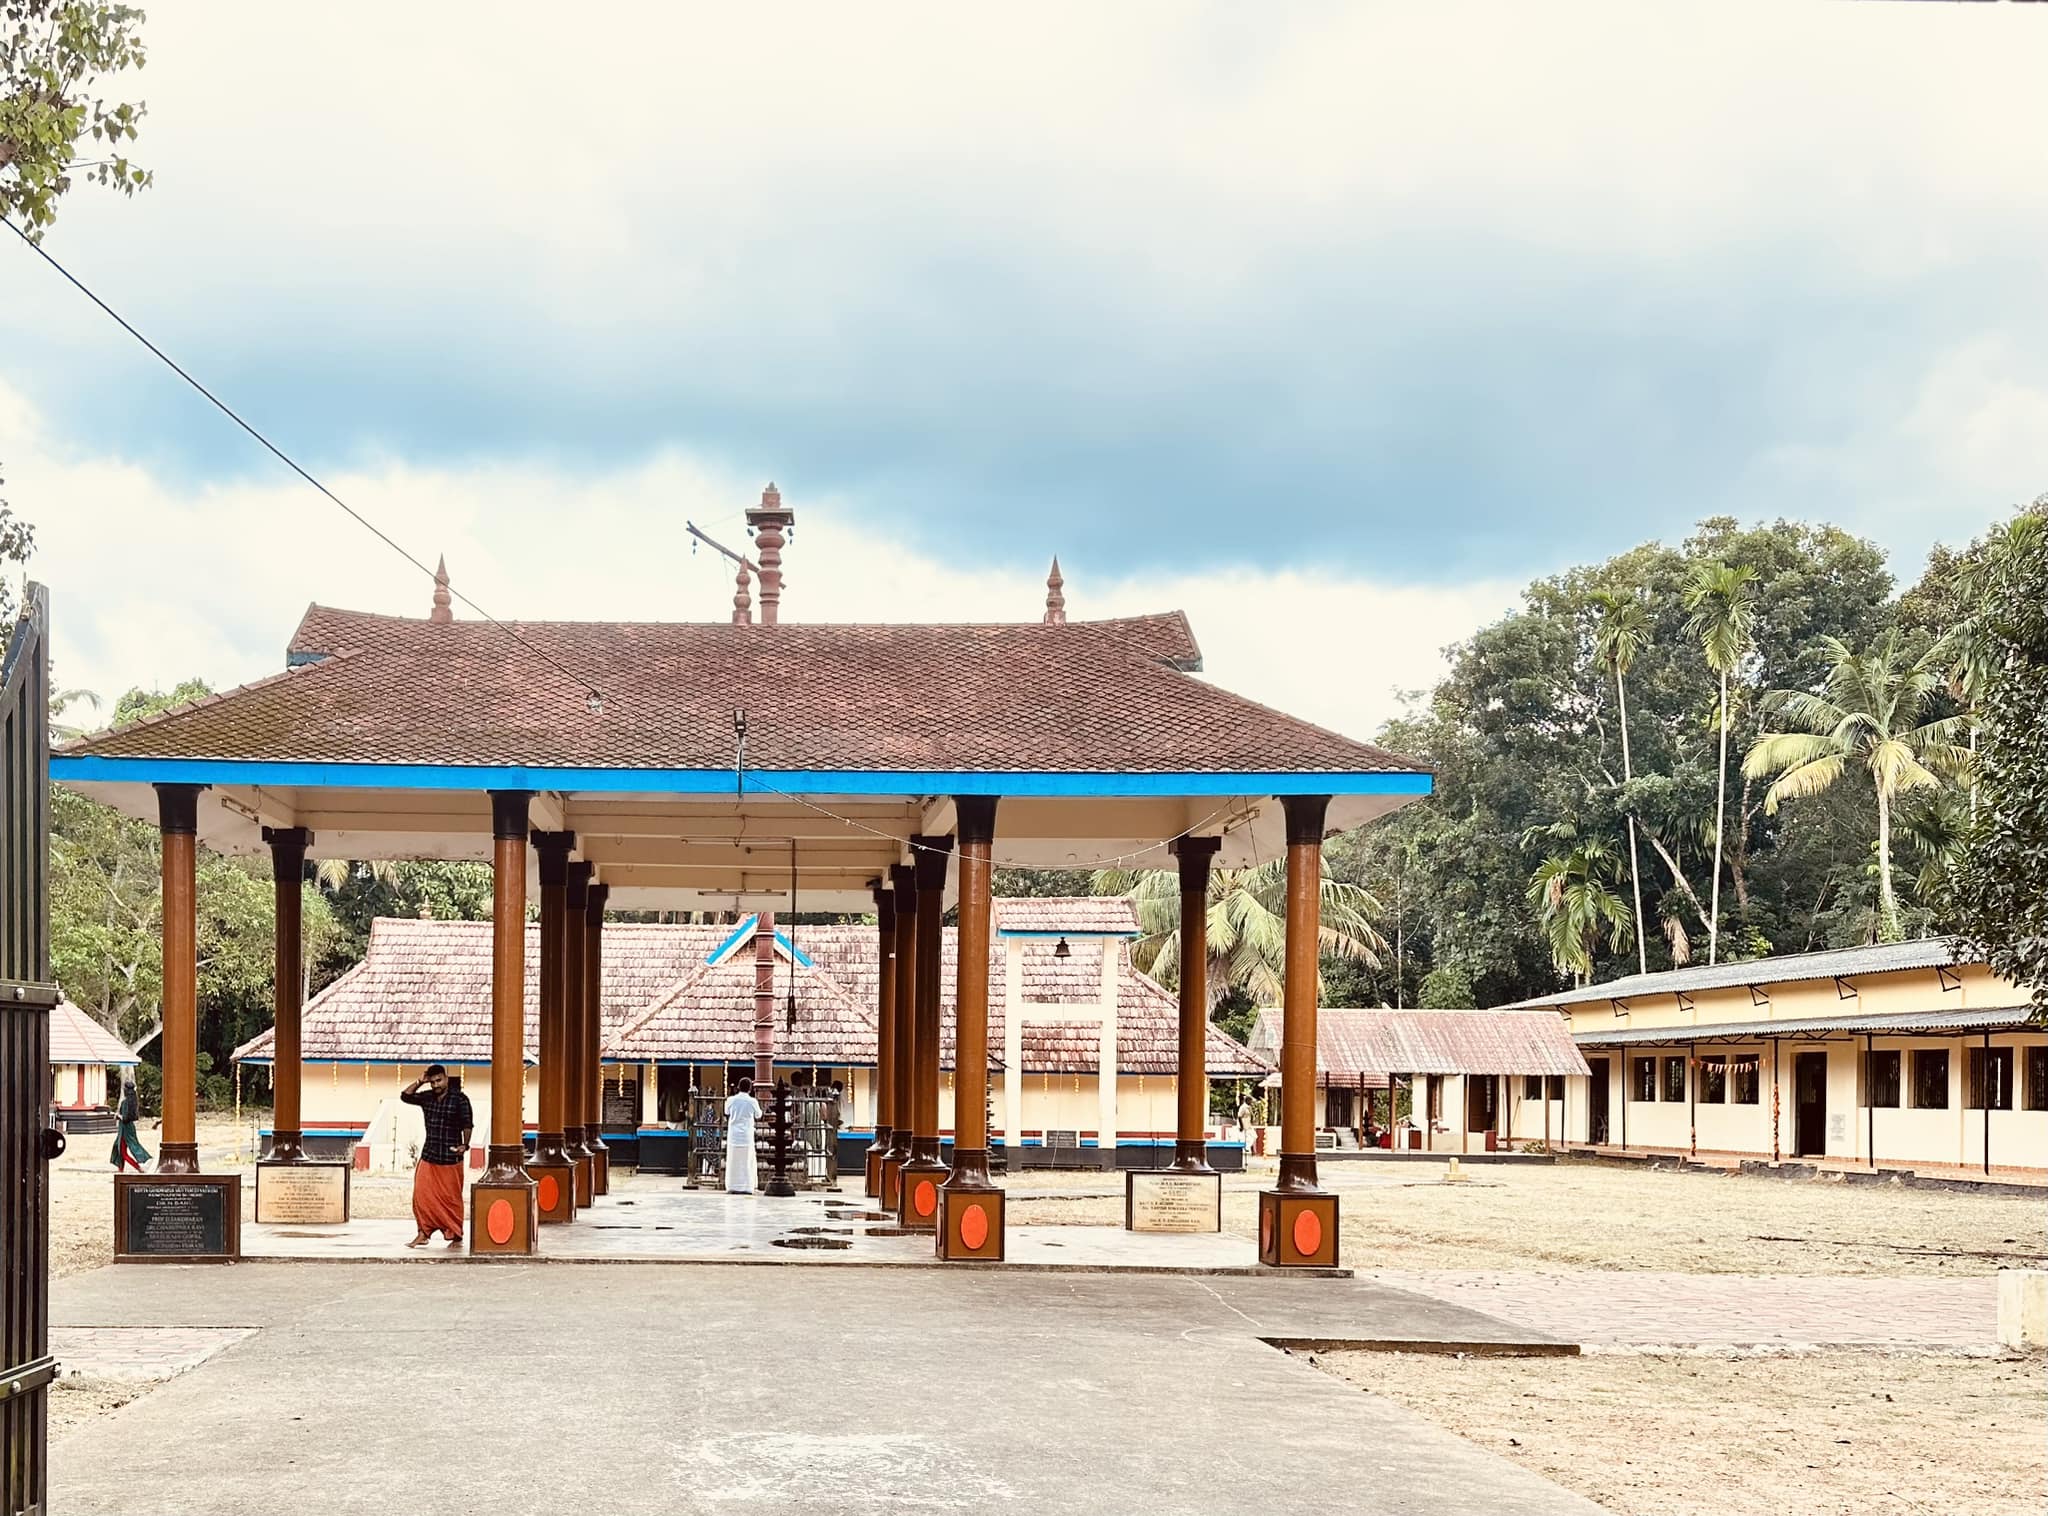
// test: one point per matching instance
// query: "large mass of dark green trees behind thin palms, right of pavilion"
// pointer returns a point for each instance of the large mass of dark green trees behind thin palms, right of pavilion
(1525, 734)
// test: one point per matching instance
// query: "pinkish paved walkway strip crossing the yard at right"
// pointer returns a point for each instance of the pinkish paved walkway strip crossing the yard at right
(1723, 1310)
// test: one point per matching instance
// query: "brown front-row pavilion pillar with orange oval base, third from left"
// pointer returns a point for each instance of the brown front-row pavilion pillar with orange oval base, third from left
(972, 1208)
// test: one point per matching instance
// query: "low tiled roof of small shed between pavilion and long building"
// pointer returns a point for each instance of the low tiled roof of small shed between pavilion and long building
(1375, 1044)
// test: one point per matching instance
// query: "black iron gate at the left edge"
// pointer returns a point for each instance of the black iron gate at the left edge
(26, 1001)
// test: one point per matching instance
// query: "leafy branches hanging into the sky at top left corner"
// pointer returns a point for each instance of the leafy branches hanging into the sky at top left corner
(54, 54)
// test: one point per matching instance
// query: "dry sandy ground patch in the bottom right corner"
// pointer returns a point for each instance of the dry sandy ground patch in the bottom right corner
(1867, 1433)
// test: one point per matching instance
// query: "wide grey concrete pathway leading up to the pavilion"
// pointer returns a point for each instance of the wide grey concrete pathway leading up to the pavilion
(755, 1390)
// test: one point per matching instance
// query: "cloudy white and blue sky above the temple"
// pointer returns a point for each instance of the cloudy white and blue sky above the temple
(1330, 323)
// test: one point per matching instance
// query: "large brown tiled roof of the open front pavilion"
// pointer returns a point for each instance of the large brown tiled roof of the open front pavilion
(1078, 698)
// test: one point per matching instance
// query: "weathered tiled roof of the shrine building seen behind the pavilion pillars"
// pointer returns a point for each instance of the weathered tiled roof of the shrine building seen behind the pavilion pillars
(423, 993)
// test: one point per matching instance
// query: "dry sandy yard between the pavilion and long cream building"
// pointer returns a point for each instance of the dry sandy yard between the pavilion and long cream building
(1590, 1216)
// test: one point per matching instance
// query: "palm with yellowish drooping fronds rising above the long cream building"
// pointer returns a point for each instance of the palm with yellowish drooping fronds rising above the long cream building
(1871, 712)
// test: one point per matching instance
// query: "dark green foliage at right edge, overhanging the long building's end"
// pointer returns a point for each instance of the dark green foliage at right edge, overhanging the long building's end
(2002, 880)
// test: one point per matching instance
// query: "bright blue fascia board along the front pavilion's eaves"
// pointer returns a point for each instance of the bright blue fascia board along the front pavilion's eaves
(93, 769)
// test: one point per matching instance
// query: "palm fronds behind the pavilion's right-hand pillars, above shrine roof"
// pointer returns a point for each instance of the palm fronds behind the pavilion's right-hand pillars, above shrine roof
(1246, 927)
